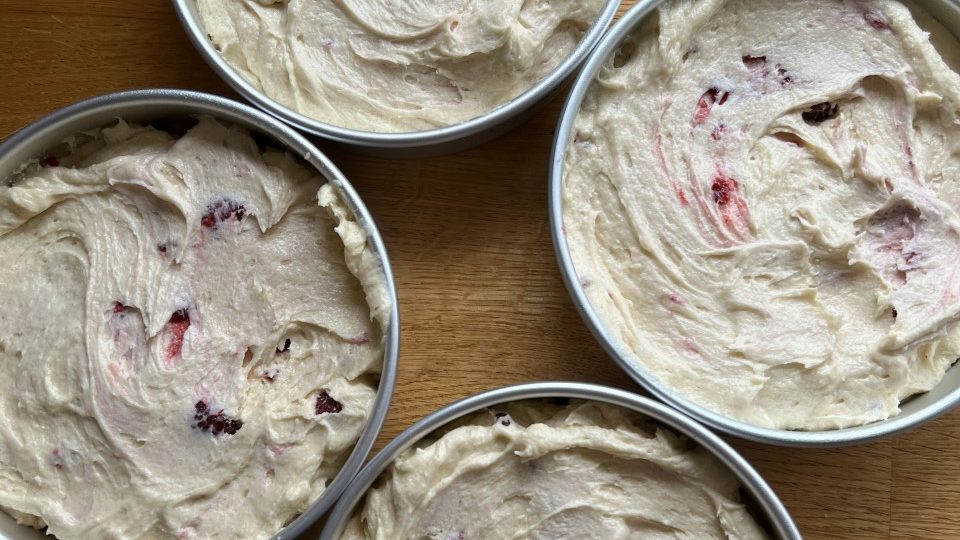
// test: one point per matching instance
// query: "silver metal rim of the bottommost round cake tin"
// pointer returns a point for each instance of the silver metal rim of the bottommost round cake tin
(771, 512)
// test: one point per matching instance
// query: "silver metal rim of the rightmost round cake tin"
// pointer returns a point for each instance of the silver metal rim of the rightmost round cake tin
(914, 411)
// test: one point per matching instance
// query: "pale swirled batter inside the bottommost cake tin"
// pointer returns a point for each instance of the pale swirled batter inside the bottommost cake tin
(537, 470)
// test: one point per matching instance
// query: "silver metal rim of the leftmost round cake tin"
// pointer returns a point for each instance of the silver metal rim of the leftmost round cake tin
(163, 107)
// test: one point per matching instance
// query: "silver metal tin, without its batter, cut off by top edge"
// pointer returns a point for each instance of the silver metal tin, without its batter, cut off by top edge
(411, 144)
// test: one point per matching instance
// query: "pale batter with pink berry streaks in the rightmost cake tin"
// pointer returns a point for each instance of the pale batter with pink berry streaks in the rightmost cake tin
(761, 204)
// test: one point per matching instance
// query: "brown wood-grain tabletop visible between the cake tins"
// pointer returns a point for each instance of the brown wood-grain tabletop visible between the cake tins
(481, 299)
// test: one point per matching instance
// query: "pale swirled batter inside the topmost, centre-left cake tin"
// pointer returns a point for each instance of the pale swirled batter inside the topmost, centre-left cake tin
(395, 65)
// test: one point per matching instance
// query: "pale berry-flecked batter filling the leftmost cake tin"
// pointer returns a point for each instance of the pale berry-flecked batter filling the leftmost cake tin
(189, 342)
